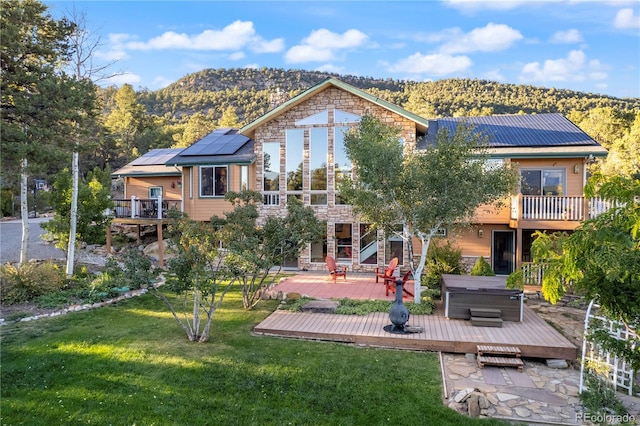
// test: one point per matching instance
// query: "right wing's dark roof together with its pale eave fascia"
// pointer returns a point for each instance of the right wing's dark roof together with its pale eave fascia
(525, 135)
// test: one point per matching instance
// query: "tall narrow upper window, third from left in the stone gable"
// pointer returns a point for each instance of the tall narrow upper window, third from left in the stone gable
(318, 151)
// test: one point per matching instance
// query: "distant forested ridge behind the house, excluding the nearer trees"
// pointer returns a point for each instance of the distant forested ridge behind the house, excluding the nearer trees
(250, 92)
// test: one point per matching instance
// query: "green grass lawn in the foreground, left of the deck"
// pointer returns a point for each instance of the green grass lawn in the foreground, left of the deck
(130, 364)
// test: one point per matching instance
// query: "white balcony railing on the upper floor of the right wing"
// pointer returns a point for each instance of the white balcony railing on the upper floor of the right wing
(535, 207)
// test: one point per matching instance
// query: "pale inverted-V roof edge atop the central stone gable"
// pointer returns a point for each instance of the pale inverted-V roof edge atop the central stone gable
(421, 123)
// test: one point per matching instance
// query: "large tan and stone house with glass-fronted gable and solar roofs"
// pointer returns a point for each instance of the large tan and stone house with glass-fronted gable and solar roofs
(296, 150)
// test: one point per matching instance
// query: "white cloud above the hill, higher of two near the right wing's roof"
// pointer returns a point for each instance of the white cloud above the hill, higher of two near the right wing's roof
(493, 37)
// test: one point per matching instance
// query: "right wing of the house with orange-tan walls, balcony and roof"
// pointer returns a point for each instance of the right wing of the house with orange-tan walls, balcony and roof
(551, 154)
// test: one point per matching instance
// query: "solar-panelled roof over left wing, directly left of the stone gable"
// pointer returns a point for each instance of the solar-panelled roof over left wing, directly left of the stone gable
(222, 146)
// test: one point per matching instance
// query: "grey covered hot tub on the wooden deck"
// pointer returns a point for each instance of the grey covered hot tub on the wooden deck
(464, 292)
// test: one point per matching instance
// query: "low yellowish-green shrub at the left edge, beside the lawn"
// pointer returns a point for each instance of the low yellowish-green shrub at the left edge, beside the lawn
(29, 280)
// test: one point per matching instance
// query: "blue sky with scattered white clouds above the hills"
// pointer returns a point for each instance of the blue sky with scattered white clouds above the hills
(588, 46)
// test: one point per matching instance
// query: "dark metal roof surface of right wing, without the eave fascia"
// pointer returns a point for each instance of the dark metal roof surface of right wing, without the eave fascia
(533, 130)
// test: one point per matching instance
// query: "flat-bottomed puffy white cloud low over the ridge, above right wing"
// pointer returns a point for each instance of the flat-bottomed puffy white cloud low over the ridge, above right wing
(572, 68)
